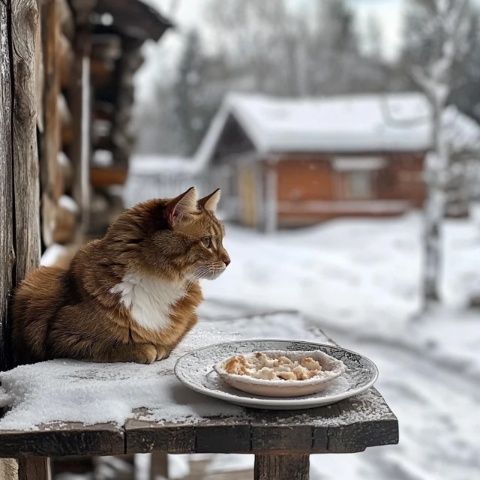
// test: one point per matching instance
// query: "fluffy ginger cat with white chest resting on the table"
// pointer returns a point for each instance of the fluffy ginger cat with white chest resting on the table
(130, 296)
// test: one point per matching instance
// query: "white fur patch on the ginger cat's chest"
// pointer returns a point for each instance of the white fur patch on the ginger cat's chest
(149, 299)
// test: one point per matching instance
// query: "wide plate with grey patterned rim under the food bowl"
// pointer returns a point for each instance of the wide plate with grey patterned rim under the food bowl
(195, 370)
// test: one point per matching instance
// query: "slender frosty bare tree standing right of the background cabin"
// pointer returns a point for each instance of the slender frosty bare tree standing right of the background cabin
(438, 42)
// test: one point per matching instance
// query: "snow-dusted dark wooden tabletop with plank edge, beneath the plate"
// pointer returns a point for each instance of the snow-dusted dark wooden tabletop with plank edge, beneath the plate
(78, 408)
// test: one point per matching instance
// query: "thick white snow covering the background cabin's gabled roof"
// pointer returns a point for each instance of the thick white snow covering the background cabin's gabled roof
(353, 123)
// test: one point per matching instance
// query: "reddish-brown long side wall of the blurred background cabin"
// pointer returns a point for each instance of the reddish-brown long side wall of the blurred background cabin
(309, 189)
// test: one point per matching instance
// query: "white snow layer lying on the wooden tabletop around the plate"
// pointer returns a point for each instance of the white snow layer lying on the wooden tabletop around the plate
(91, 393)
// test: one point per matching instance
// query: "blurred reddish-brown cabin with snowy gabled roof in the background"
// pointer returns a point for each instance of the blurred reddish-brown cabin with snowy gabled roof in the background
(296, 162)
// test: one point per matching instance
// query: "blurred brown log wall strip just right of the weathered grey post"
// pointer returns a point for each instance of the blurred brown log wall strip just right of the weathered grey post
(60, 149)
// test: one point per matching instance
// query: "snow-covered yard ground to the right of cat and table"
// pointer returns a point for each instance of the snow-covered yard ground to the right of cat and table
(359, 280)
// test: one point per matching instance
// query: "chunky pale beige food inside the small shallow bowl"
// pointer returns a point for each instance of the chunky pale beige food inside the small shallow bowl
(260, 365)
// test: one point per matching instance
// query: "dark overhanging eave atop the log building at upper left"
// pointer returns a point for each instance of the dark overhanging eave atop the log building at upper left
(134, 18)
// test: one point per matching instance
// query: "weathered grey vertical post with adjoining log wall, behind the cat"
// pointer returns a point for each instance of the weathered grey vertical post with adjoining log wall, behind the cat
(40, 152)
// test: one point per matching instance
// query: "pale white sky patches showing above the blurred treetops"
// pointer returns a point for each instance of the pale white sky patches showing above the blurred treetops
(186, 14)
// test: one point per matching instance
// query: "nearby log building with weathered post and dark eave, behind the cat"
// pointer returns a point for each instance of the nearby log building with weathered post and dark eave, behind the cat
(66, 94)
